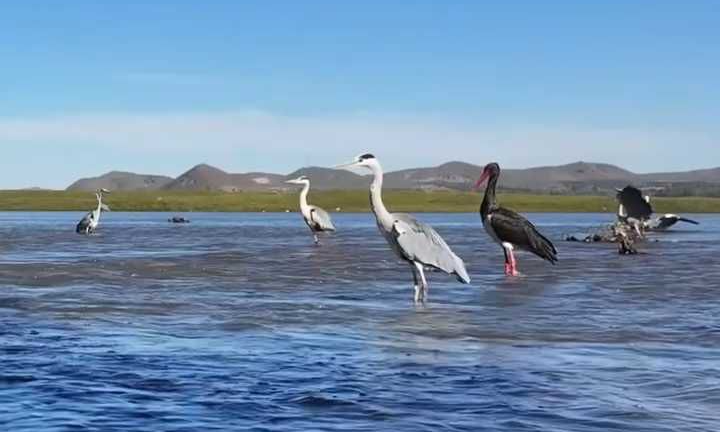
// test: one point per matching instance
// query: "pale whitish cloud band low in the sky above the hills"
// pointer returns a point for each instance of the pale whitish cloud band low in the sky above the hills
(403, 141)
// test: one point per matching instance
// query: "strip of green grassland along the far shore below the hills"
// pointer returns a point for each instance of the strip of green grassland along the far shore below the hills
(347, 201)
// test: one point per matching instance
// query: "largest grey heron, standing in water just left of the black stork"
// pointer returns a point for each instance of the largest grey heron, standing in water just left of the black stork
(413, 241)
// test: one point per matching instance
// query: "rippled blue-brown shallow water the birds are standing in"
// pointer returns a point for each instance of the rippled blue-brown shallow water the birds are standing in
(238, 322)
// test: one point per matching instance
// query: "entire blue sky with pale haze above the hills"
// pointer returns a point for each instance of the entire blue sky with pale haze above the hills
(88, 86)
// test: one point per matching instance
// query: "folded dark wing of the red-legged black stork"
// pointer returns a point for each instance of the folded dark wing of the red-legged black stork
(514, 228)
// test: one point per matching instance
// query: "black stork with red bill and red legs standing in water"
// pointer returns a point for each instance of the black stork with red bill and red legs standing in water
(508, 228)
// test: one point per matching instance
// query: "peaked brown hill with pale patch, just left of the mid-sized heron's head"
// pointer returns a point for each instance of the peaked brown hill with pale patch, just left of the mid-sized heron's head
(206, 177)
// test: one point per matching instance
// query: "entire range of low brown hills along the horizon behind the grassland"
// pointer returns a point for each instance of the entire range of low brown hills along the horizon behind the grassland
(574, 178)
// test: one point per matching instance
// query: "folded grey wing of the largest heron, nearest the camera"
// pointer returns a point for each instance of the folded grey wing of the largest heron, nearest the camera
(420, 242)
